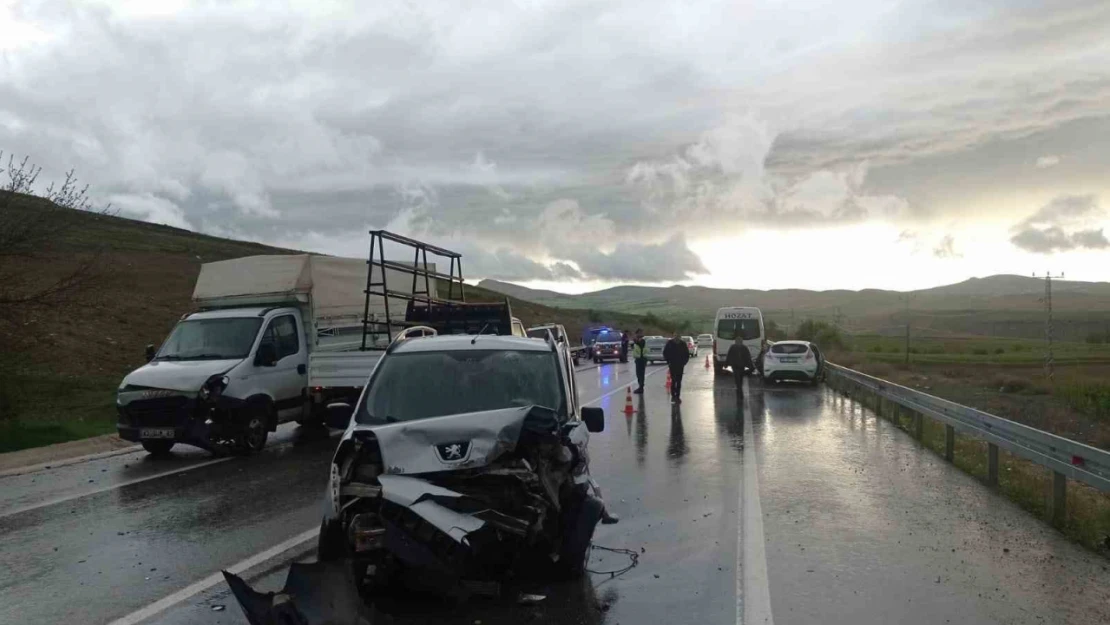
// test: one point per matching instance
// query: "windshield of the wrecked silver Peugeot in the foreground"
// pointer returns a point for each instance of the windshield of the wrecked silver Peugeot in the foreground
(426, 385)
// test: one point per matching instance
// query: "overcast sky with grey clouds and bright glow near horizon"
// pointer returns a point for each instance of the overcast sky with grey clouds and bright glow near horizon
(576, 145)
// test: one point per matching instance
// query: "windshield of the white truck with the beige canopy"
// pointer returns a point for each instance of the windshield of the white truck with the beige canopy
(211, 339)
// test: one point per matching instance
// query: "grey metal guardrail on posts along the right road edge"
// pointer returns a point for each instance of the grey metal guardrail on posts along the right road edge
(1066, 458)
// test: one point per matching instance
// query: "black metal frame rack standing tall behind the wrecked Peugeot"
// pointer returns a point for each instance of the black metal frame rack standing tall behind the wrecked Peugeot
(419, 296)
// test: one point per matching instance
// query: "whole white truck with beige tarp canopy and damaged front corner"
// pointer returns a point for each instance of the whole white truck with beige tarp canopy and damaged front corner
(229, 374)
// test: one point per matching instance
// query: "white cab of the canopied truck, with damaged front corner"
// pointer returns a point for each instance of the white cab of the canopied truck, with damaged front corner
(223, 381)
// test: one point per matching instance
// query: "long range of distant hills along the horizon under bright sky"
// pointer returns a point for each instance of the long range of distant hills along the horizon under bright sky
(1007, 306)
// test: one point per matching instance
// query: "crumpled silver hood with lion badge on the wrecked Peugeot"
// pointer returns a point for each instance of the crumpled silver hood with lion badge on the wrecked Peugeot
(456, 442)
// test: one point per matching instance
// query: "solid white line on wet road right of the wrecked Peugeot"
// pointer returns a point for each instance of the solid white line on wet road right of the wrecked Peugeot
(753, 589)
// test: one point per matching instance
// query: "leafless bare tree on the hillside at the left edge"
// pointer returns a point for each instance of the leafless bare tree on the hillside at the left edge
(33, 229)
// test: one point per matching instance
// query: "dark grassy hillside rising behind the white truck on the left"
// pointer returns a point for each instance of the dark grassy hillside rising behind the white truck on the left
(62, 365)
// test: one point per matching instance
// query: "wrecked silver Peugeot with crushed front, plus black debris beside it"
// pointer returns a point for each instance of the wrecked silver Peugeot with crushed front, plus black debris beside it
(465, 469)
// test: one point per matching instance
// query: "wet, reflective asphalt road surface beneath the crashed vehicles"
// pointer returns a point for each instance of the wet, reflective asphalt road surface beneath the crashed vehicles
(859, 526)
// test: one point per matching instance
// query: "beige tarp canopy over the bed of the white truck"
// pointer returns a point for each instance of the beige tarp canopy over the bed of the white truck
(336, 287)
